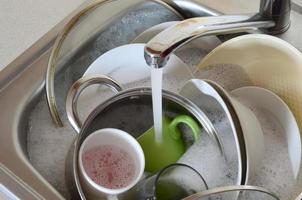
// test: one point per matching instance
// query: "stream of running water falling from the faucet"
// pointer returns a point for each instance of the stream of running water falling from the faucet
(156, 84)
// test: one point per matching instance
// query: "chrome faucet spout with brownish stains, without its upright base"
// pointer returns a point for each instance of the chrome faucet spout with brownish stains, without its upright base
(158, 49)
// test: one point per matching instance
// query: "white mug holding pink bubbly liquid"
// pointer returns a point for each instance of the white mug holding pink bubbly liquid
(120, 139)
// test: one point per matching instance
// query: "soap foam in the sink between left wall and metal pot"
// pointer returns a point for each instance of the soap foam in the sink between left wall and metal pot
(48, 146)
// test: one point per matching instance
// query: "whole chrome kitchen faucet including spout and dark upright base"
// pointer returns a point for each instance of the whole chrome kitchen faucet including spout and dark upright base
(273, 18)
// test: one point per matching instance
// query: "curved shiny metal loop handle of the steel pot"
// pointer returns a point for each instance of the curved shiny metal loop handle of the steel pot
(77, 88)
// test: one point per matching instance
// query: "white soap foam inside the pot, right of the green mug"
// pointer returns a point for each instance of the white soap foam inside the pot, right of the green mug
(205, 156)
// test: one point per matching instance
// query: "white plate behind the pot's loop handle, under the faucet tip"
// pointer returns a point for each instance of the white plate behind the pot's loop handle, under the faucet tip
(126, 64)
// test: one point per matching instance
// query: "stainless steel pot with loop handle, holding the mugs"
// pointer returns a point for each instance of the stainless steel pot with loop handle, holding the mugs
(129, 110)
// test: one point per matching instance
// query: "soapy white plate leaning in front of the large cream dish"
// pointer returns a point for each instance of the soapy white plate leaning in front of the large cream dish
(277, 171)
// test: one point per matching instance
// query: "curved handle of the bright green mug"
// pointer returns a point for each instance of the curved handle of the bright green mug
(189, 121)
